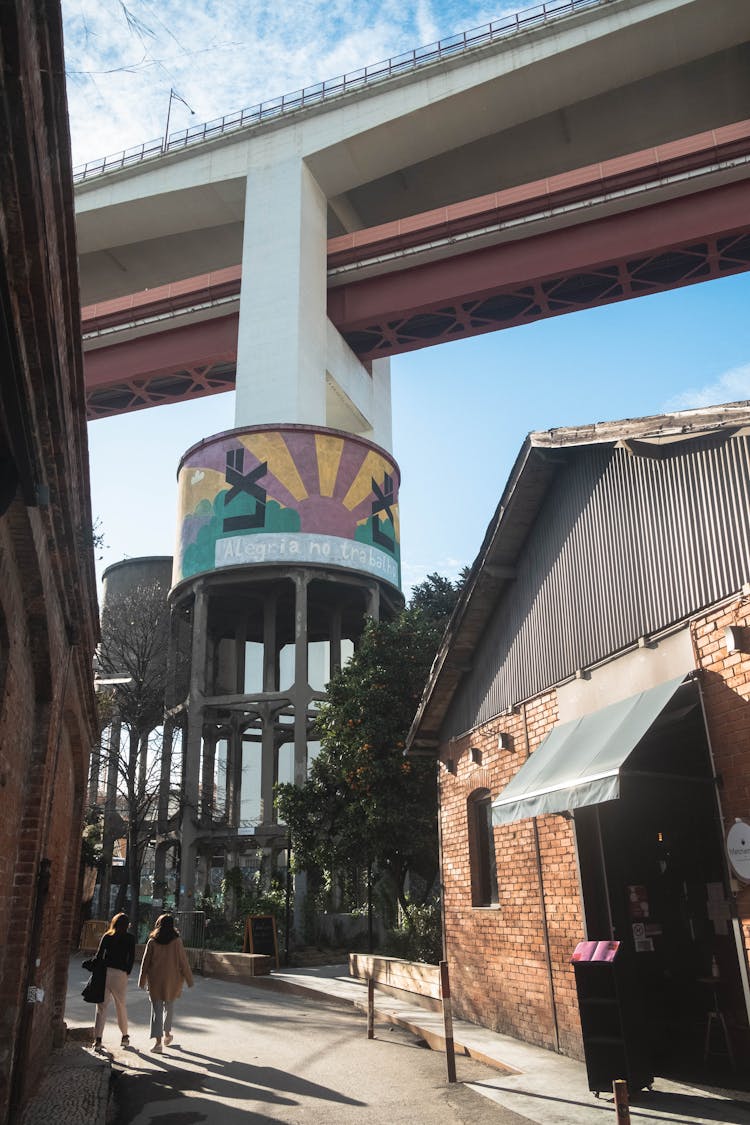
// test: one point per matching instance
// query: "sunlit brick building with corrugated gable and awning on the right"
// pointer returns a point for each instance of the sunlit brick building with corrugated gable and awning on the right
(591, 713)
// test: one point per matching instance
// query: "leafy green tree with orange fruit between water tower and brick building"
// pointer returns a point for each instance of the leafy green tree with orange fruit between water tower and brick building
(365, 803)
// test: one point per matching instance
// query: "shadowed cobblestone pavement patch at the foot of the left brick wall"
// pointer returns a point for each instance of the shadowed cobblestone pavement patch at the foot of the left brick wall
(75, 1090)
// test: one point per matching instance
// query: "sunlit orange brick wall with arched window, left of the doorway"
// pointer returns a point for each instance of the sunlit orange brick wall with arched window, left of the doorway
(499, 955)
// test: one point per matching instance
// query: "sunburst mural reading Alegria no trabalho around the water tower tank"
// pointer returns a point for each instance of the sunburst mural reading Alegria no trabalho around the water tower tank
(291, 494)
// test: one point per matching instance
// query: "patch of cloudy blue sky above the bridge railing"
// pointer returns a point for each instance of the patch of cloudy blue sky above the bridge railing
(123, 57)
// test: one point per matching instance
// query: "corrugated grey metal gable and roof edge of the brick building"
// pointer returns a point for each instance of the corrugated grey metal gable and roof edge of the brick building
(624, 501)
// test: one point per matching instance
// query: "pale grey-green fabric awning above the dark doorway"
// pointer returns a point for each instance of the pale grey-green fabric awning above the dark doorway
(580, 762)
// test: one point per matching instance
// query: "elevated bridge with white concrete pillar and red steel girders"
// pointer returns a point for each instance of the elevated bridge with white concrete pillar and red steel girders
(600, 154)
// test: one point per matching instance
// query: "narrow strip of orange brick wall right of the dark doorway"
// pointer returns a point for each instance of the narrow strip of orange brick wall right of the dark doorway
(726, 682)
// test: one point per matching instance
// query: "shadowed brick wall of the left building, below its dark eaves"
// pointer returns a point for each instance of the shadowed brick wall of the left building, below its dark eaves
(44, 746)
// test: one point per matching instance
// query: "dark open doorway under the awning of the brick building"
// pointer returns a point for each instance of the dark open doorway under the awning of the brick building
(654, 877)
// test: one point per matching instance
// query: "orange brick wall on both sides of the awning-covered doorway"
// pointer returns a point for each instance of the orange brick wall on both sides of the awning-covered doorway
(498, 956)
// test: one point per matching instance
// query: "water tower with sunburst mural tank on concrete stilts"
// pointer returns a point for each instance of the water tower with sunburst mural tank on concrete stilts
(288, 539)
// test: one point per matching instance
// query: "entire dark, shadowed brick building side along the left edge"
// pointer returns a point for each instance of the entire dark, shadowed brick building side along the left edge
(48, 599)
